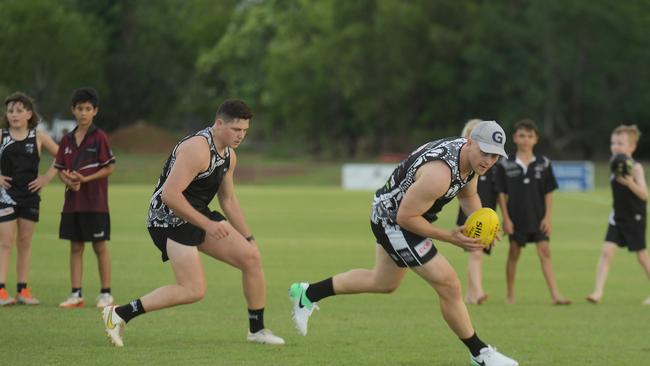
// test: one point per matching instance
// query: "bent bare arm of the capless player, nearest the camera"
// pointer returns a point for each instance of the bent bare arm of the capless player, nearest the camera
(192, 158)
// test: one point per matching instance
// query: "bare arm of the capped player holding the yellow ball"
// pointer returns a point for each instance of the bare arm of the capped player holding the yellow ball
(431, 182)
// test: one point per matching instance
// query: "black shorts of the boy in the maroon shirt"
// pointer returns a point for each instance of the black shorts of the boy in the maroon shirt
(85, 226)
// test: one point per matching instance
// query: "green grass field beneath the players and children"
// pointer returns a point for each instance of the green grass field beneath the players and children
(308, 233)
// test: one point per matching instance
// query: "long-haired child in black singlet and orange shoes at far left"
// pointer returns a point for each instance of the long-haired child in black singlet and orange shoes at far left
(20, 152)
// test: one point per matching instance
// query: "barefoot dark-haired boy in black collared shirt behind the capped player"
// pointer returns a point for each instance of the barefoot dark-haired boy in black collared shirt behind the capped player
(526, 183)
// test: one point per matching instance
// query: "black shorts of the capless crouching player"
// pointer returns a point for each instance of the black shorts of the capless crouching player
(185, 234)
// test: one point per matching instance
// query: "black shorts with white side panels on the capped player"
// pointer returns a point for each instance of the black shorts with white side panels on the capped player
(405, 248)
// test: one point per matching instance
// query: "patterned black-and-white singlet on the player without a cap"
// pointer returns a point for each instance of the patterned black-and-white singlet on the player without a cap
(199, 192)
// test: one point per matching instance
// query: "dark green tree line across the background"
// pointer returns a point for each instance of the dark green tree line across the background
(339, 78)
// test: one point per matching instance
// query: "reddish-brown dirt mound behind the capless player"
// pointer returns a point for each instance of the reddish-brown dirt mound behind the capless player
(143, 138)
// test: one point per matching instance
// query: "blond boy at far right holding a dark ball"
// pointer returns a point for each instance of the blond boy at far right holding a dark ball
(627, 221)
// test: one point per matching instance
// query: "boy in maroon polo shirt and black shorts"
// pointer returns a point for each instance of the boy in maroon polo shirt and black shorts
(85, 161)
